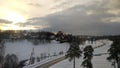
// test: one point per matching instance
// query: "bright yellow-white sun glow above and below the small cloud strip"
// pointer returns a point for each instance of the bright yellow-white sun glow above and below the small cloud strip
(15, 18)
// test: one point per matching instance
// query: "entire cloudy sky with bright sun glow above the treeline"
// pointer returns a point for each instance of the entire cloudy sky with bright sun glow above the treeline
(86, 17)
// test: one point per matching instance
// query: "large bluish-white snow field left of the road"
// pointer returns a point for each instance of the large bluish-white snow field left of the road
(24, 48)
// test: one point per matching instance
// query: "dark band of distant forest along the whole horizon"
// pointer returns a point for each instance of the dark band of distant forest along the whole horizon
(48, 36)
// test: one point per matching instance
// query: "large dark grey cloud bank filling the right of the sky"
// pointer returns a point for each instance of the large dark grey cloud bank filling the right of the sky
(75, 20)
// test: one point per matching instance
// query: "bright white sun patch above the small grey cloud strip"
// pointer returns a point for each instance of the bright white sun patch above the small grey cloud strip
(15, 18)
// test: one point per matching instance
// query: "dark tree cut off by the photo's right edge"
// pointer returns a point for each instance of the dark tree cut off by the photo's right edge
(114, 52)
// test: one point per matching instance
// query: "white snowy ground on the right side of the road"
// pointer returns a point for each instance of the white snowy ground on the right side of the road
(98, 61)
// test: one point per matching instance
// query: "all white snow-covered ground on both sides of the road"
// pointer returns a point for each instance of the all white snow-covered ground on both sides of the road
(24, 48)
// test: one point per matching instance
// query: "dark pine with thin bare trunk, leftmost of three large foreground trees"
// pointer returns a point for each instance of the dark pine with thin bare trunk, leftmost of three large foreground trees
(74, 50)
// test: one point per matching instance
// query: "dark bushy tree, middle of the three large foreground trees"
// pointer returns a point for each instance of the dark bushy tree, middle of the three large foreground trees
(88, 54)
